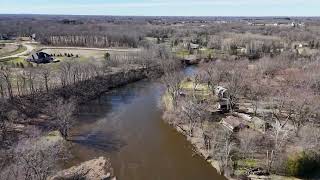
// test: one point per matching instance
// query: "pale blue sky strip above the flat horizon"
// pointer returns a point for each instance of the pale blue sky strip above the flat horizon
(164, 7)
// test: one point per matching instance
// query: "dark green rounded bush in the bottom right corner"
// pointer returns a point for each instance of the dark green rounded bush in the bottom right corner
(303, 164)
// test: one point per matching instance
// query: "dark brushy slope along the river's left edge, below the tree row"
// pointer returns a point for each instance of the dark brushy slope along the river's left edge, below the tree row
(33, 106)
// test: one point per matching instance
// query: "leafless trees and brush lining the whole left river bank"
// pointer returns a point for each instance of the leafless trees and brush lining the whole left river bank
(39, 100)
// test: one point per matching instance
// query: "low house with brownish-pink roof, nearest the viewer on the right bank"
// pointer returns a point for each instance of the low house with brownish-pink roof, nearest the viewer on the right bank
(234, 124)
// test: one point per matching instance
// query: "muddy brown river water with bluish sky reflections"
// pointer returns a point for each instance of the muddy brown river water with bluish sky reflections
(126, 126)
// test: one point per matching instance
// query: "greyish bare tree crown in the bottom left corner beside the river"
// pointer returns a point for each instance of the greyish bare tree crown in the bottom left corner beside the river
(33, 159)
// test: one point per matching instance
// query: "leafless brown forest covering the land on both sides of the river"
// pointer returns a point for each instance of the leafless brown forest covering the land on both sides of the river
(265, 123)
